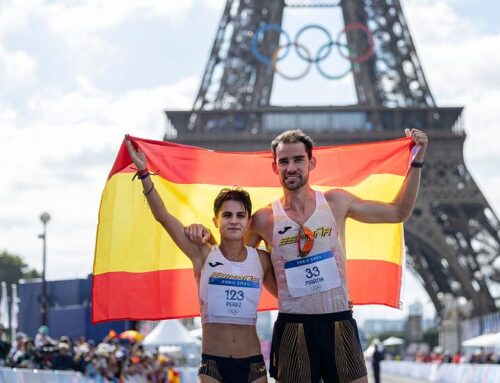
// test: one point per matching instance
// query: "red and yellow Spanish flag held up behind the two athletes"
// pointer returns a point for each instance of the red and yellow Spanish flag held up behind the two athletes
(139, 273)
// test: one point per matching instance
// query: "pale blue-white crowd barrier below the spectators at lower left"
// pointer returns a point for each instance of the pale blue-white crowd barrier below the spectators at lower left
(20, 375)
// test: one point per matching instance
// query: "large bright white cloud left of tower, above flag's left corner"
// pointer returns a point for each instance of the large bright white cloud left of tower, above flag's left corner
(62, 127)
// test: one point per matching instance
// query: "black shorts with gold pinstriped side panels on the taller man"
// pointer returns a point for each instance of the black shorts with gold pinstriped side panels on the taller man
(307, 348)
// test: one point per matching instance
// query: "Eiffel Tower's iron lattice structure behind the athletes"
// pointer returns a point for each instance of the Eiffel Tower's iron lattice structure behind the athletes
(453, 236)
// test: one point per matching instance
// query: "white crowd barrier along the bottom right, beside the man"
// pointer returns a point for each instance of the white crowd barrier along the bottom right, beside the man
(445, 372)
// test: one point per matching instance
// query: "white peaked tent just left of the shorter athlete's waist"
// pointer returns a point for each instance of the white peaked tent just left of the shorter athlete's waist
(169, 333)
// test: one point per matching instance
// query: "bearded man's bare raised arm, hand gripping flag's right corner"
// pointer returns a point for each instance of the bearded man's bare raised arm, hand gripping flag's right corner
(401, 207)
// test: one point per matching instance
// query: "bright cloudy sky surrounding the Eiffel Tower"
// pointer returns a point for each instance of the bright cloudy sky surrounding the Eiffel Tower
(75, 76)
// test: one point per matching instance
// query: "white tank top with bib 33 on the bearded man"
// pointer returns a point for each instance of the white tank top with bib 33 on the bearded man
(316, 283)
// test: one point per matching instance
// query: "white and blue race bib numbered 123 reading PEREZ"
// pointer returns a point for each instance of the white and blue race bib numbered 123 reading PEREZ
(233, 297)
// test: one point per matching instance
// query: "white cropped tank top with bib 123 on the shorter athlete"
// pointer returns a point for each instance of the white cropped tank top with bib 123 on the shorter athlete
(229, 291)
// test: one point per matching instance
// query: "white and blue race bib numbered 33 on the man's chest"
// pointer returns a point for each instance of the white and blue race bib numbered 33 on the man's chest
(313, 274)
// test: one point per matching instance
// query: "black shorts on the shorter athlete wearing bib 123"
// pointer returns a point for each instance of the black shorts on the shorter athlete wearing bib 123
(233, 370)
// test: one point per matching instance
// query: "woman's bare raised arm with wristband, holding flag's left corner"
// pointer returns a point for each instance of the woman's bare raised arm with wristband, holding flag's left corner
(172, 225)
